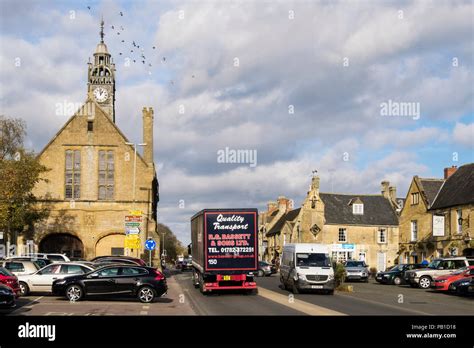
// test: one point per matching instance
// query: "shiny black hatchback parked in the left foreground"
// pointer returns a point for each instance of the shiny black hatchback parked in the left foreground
(145, 283)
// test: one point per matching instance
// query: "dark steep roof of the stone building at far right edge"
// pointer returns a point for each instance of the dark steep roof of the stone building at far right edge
(458, 189)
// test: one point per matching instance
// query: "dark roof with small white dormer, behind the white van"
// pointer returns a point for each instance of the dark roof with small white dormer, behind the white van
(377, 210)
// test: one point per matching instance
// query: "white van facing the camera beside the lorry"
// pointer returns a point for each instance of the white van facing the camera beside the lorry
(307, 266)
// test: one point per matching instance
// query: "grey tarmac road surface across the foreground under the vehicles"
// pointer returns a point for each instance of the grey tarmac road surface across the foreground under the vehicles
(183, 299)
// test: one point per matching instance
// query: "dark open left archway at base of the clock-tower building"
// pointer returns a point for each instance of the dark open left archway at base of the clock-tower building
(62, 243)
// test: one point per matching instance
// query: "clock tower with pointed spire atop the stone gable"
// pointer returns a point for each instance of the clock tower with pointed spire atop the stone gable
(101, 77)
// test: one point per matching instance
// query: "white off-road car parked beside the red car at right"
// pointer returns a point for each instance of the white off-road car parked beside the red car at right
(438, 267)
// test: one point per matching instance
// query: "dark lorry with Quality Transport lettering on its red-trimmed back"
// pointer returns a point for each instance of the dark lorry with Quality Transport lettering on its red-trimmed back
(224, 249)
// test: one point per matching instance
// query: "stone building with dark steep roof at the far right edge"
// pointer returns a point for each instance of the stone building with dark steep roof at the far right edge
(438, 217)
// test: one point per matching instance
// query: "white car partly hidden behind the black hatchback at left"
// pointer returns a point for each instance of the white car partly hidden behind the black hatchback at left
(42, 280)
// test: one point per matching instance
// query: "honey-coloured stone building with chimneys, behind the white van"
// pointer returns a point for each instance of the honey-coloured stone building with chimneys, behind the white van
(359, 227)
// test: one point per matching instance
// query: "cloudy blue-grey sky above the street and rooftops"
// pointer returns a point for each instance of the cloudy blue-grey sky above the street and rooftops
(302, 83)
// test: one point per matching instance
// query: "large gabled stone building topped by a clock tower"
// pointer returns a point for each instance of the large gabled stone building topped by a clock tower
(96, 177)
